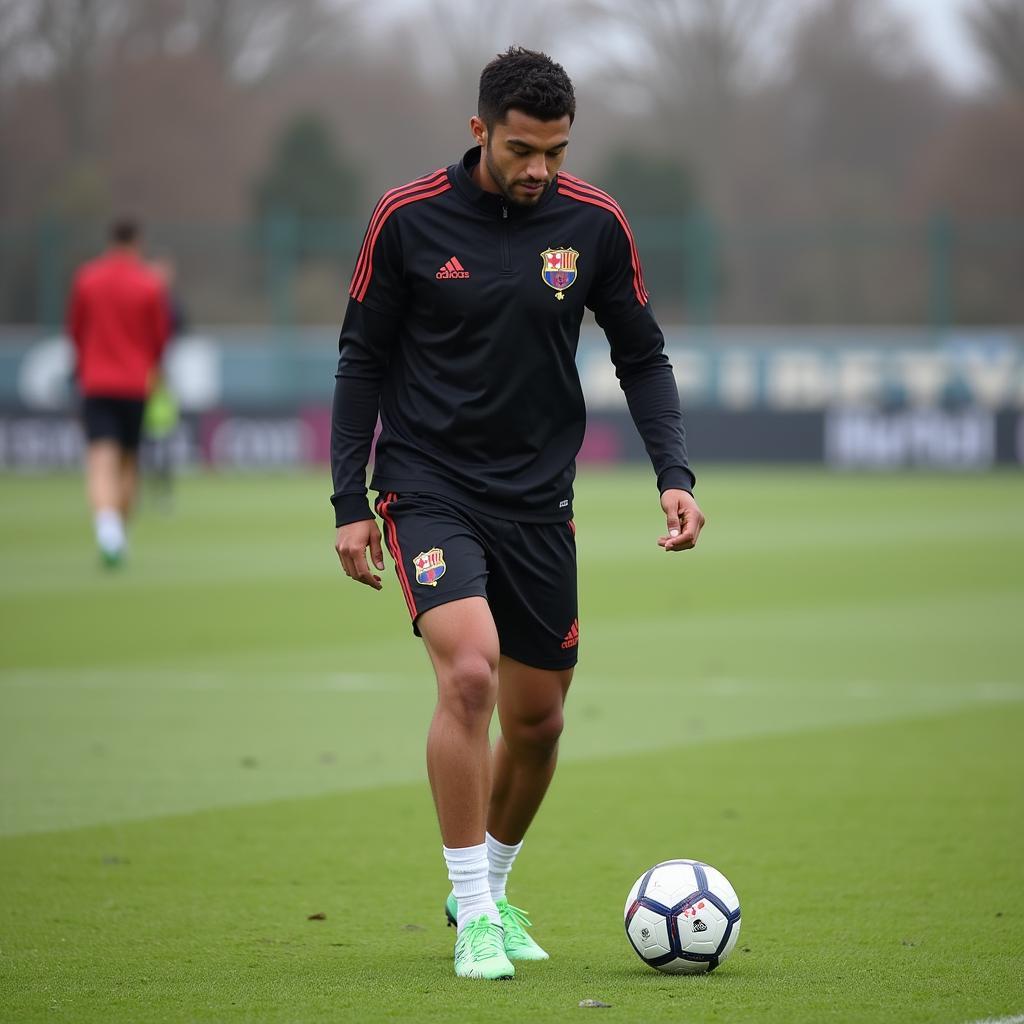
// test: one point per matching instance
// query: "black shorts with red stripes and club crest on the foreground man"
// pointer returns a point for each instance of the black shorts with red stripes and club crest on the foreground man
(527, 572)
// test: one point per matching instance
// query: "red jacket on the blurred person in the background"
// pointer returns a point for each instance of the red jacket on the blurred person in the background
(119, 322)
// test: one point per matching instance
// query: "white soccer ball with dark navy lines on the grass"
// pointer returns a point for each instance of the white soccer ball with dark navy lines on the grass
(682, 917)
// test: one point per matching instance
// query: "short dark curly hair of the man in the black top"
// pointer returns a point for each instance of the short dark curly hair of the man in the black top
(529, 81)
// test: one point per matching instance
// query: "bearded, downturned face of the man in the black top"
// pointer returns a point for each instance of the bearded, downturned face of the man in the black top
(522, 155)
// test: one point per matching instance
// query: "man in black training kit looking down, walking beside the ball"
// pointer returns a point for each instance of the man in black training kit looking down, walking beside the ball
(461, 333)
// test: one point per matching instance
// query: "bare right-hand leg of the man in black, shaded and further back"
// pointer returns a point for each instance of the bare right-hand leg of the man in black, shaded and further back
(530, 706)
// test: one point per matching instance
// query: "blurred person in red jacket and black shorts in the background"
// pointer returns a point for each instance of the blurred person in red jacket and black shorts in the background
(119, 322)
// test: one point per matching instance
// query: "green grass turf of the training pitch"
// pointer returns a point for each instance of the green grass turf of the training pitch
(826, 702)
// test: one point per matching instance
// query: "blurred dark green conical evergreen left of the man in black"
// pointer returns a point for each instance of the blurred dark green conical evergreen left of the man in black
(308, 179)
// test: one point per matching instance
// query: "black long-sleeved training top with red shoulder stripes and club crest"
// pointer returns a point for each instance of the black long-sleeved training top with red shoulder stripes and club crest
(462, 330)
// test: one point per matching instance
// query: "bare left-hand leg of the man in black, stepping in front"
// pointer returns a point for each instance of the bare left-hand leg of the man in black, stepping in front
(462, 643)
